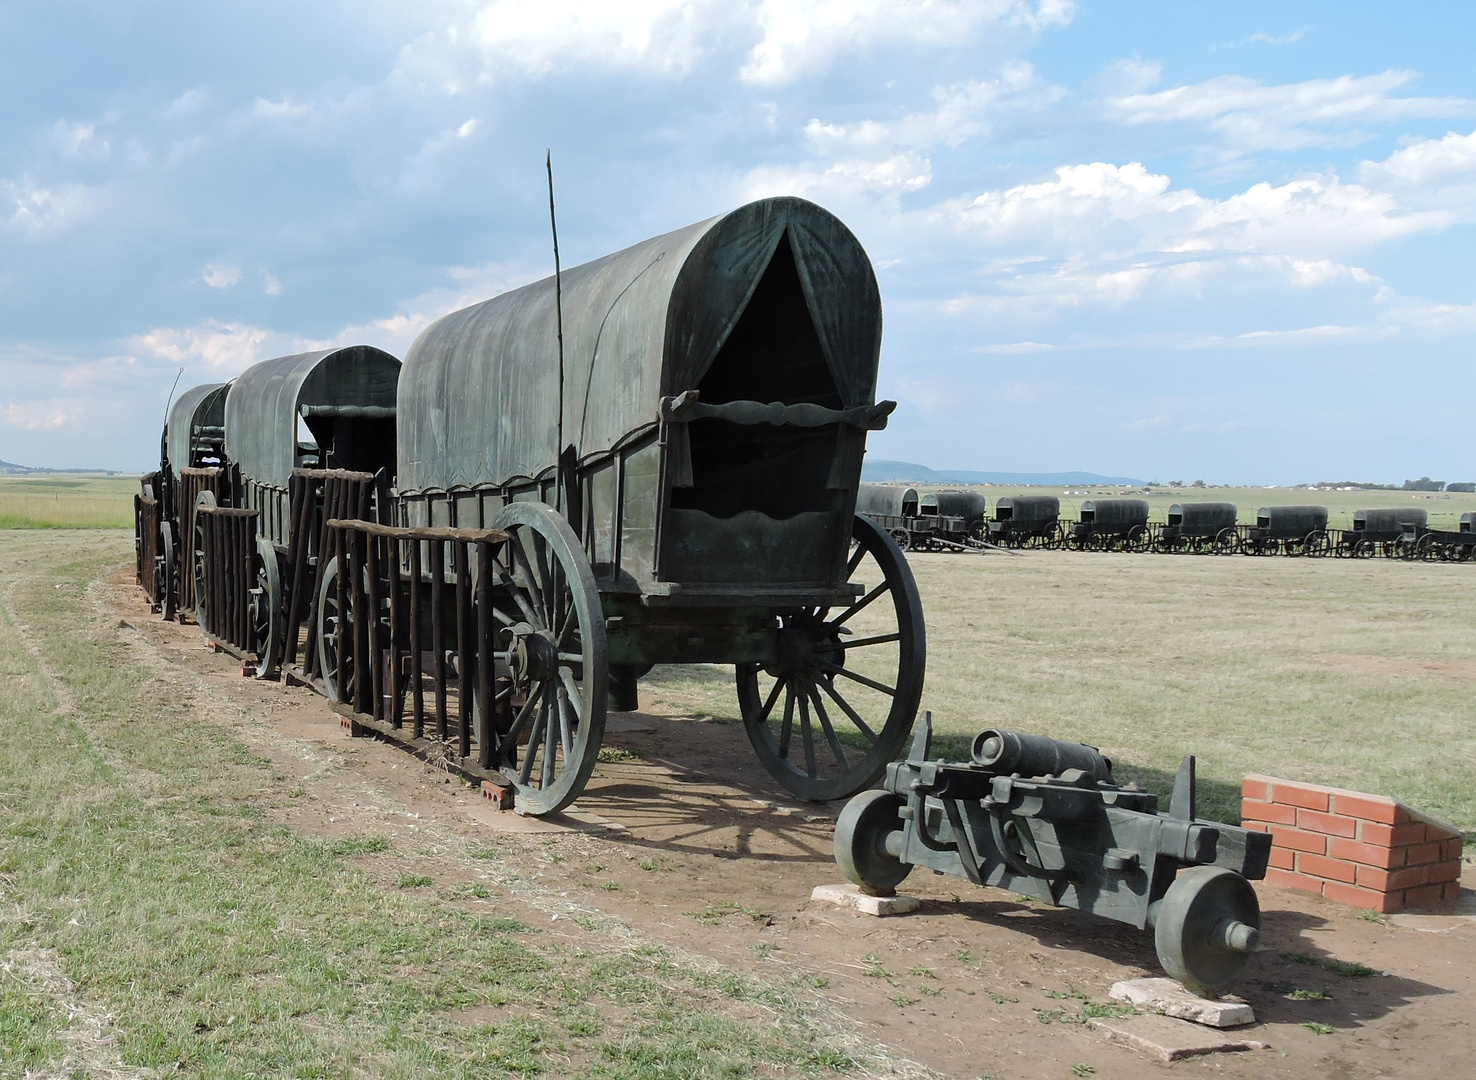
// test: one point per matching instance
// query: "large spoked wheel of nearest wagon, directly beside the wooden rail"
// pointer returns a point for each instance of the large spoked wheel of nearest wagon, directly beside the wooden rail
(551, 634)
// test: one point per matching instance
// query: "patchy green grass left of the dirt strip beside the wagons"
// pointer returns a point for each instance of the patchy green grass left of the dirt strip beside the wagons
(137, 859)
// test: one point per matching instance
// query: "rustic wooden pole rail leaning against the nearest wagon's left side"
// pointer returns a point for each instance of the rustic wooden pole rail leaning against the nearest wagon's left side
(415, 638)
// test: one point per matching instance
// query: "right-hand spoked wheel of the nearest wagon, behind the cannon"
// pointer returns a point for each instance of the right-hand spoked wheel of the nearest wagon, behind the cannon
(867, 662)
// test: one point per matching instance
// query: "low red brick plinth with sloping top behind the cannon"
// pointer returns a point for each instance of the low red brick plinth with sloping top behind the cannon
(1363, 851)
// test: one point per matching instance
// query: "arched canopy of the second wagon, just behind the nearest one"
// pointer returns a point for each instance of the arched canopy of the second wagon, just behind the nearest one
(263, 404)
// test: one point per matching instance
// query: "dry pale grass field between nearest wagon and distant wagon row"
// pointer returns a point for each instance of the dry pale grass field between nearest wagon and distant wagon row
(1354, 674)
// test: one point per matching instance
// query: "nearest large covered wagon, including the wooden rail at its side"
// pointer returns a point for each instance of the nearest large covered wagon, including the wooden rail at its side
(665, 473)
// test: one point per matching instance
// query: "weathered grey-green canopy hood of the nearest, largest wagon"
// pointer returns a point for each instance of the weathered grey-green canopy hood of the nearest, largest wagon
(479, 398)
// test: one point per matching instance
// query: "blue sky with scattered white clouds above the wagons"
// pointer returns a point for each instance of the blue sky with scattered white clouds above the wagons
(1223, 243)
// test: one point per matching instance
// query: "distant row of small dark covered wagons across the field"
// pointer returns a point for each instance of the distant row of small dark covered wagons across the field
(960, 522)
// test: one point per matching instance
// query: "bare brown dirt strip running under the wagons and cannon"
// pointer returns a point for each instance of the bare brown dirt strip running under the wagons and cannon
(692, 846)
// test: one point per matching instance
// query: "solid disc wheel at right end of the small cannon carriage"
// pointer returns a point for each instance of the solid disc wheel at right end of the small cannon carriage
(1207, 927)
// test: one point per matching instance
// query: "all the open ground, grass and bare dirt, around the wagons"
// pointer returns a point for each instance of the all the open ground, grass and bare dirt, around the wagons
(206, 874)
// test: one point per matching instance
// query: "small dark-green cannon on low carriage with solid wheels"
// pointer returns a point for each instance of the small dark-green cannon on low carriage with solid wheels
(1046, 820)
